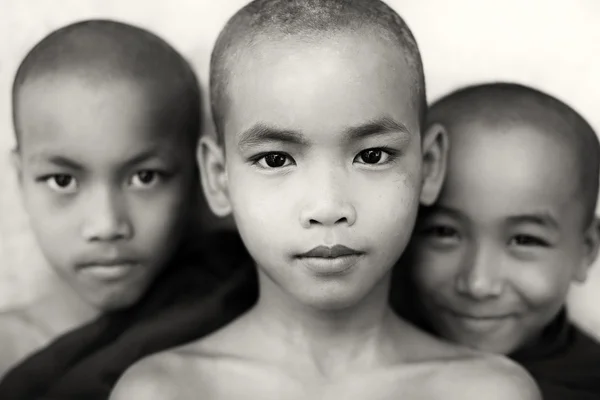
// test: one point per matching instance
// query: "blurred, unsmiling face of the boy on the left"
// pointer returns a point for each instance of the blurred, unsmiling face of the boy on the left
(109, 238)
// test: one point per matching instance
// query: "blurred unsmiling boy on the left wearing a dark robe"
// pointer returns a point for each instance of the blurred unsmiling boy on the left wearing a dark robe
(107, 119)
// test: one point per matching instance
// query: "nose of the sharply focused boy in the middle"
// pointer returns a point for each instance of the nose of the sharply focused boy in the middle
(327, 204)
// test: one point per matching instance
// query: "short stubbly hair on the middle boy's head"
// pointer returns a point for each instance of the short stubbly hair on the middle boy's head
(273, 20)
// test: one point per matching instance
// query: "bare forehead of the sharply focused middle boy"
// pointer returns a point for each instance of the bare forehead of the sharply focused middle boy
(315, 83)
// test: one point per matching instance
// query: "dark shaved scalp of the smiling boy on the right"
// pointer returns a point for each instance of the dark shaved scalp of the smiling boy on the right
(505, 105)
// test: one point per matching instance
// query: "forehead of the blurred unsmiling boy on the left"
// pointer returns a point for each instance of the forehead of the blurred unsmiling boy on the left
(65, 108)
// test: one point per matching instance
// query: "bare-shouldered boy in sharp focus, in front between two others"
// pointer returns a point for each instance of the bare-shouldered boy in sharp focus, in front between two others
(322, 160)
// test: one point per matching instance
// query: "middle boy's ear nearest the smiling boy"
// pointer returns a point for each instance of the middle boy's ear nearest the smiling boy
(435, 155)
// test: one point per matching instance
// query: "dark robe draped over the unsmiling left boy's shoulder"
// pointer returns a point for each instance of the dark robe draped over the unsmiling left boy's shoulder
(198, 293)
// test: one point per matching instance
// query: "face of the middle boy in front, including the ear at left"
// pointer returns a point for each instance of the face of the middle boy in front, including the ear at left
(271, 208)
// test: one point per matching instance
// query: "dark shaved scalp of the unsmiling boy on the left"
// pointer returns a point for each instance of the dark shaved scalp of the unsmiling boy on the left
(102, 52)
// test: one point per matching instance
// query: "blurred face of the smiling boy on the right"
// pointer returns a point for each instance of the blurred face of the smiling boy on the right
(488, 207)
